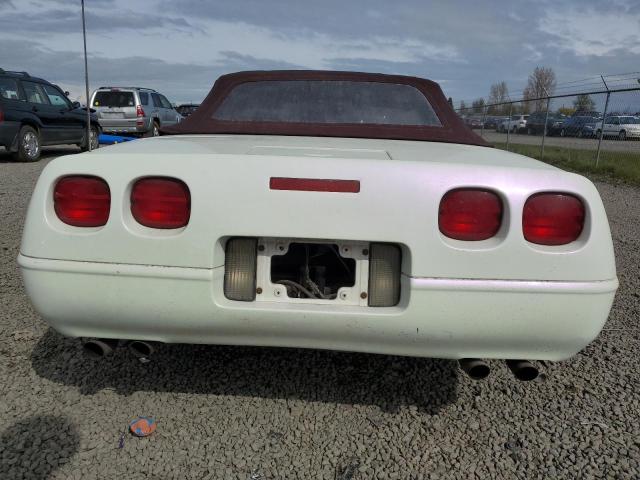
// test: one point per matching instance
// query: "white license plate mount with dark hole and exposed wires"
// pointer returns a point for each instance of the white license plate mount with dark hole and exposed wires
(332, 272)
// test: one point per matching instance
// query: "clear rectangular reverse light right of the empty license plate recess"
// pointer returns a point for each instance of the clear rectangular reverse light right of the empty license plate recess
(384, 275)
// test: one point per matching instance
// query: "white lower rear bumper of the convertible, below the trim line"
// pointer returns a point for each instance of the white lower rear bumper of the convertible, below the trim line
(446, 318)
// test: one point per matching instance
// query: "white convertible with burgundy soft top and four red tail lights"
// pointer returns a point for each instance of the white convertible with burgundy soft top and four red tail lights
(330, 210)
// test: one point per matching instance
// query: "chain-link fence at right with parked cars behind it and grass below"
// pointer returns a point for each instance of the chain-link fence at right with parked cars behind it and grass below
(591, 130)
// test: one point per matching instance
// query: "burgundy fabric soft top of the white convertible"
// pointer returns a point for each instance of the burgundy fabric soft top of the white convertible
(216, 114)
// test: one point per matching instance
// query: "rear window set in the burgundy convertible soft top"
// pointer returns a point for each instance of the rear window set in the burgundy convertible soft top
(327, 101)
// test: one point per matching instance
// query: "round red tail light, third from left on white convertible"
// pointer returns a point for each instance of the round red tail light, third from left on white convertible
(470, 214)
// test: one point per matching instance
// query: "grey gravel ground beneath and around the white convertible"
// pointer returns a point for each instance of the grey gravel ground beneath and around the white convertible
(260, 413)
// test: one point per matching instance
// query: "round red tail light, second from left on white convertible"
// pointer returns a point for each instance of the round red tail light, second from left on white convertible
(159, 202)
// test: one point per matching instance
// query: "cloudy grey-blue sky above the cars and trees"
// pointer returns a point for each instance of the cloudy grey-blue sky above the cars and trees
(180, 47)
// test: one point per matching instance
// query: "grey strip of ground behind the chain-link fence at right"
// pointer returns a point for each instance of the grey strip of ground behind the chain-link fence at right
(608, 144)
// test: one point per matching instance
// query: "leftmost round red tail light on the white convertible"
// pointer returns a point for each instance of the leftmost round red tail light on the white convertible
(82, 201)
